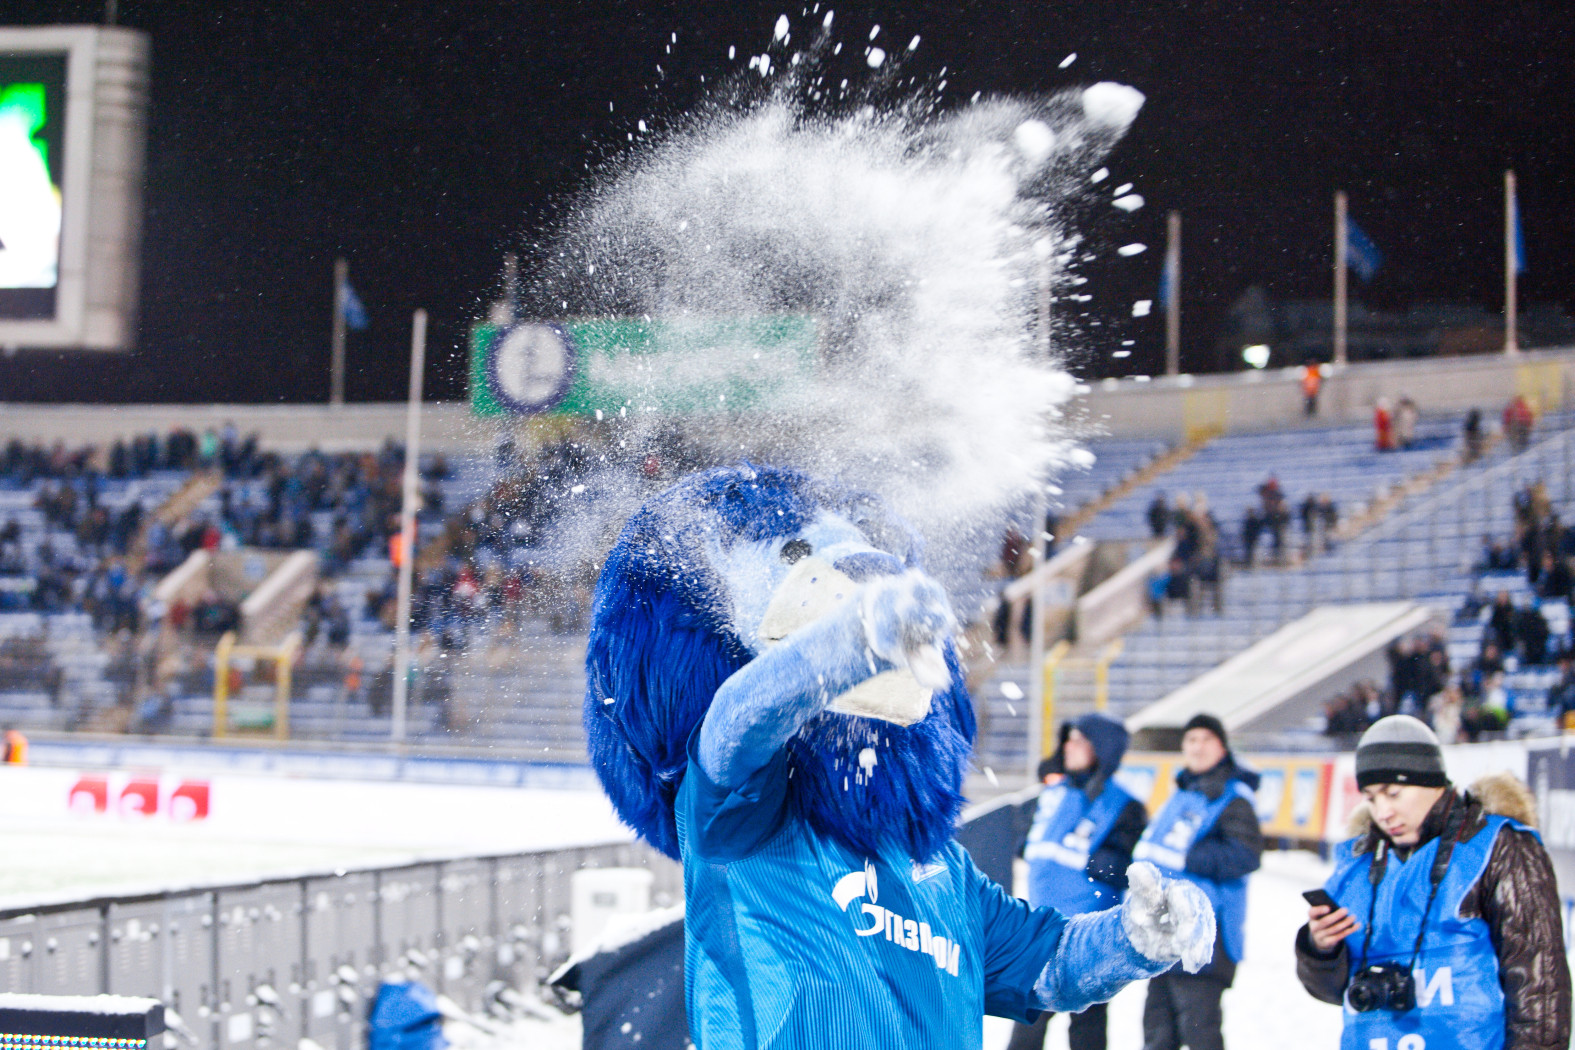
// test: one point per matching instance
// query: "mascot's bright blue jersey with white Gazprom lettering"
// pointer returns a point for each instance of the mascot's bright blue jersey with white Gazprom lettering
(796, 942)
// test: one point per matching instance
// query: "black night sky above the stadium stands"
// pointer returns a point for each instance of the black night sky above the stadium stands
(426, 139)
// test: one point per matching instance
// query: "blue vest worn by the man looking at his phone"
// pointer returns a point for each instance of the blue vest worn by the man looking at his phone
(1459, 1000)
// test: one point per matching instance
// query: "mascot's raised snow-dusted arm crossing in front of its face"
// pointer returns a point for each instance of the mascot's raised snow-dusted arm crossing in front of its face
(760, 708)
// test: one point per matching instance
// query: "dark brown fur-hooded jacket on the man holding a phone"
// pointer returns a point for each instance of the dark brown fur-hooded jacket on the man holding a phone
(1516, 897)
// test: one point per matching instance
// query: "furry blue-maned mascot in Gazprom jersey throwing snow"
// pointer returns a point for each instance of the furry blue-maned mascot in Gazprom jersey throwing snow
(774, 698)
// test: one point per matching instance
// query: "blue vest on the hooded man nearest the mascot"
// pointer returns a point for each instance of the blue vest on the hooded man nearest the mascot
(1067, 830)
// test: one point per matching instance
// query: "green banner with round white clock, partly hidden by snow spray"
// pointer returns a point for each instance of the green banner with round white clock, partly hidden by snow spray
(620, 364)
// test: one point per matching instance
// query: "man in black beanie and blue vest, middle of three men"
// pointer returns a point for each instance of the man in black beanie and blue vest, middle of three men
(1209, 835)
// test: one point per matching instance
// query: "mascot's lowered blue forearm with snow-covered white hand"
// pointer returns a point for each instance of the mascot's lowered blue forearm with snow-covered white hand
(1158, 925)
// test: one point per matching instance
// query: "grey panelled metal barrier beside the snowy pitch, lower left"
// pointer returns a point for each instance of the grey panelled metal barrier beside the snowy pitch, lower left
(270, 963)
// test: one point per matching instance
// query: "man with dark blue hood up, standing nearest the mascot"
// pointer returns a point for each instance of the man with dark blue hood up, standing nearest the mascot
(1081, 846)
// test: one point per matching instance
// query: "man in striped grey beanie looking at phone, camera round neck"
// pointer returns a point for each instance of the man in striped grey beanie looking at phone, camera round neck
(1448, 931)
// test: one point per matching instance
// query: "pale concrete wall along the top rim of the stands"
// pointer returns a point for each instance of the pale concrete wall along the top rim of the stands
(1171, 409)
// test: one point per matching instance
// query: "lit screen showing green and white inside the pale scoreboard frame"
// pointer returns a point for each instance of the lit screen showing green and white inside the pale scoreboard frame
(32, 182)
